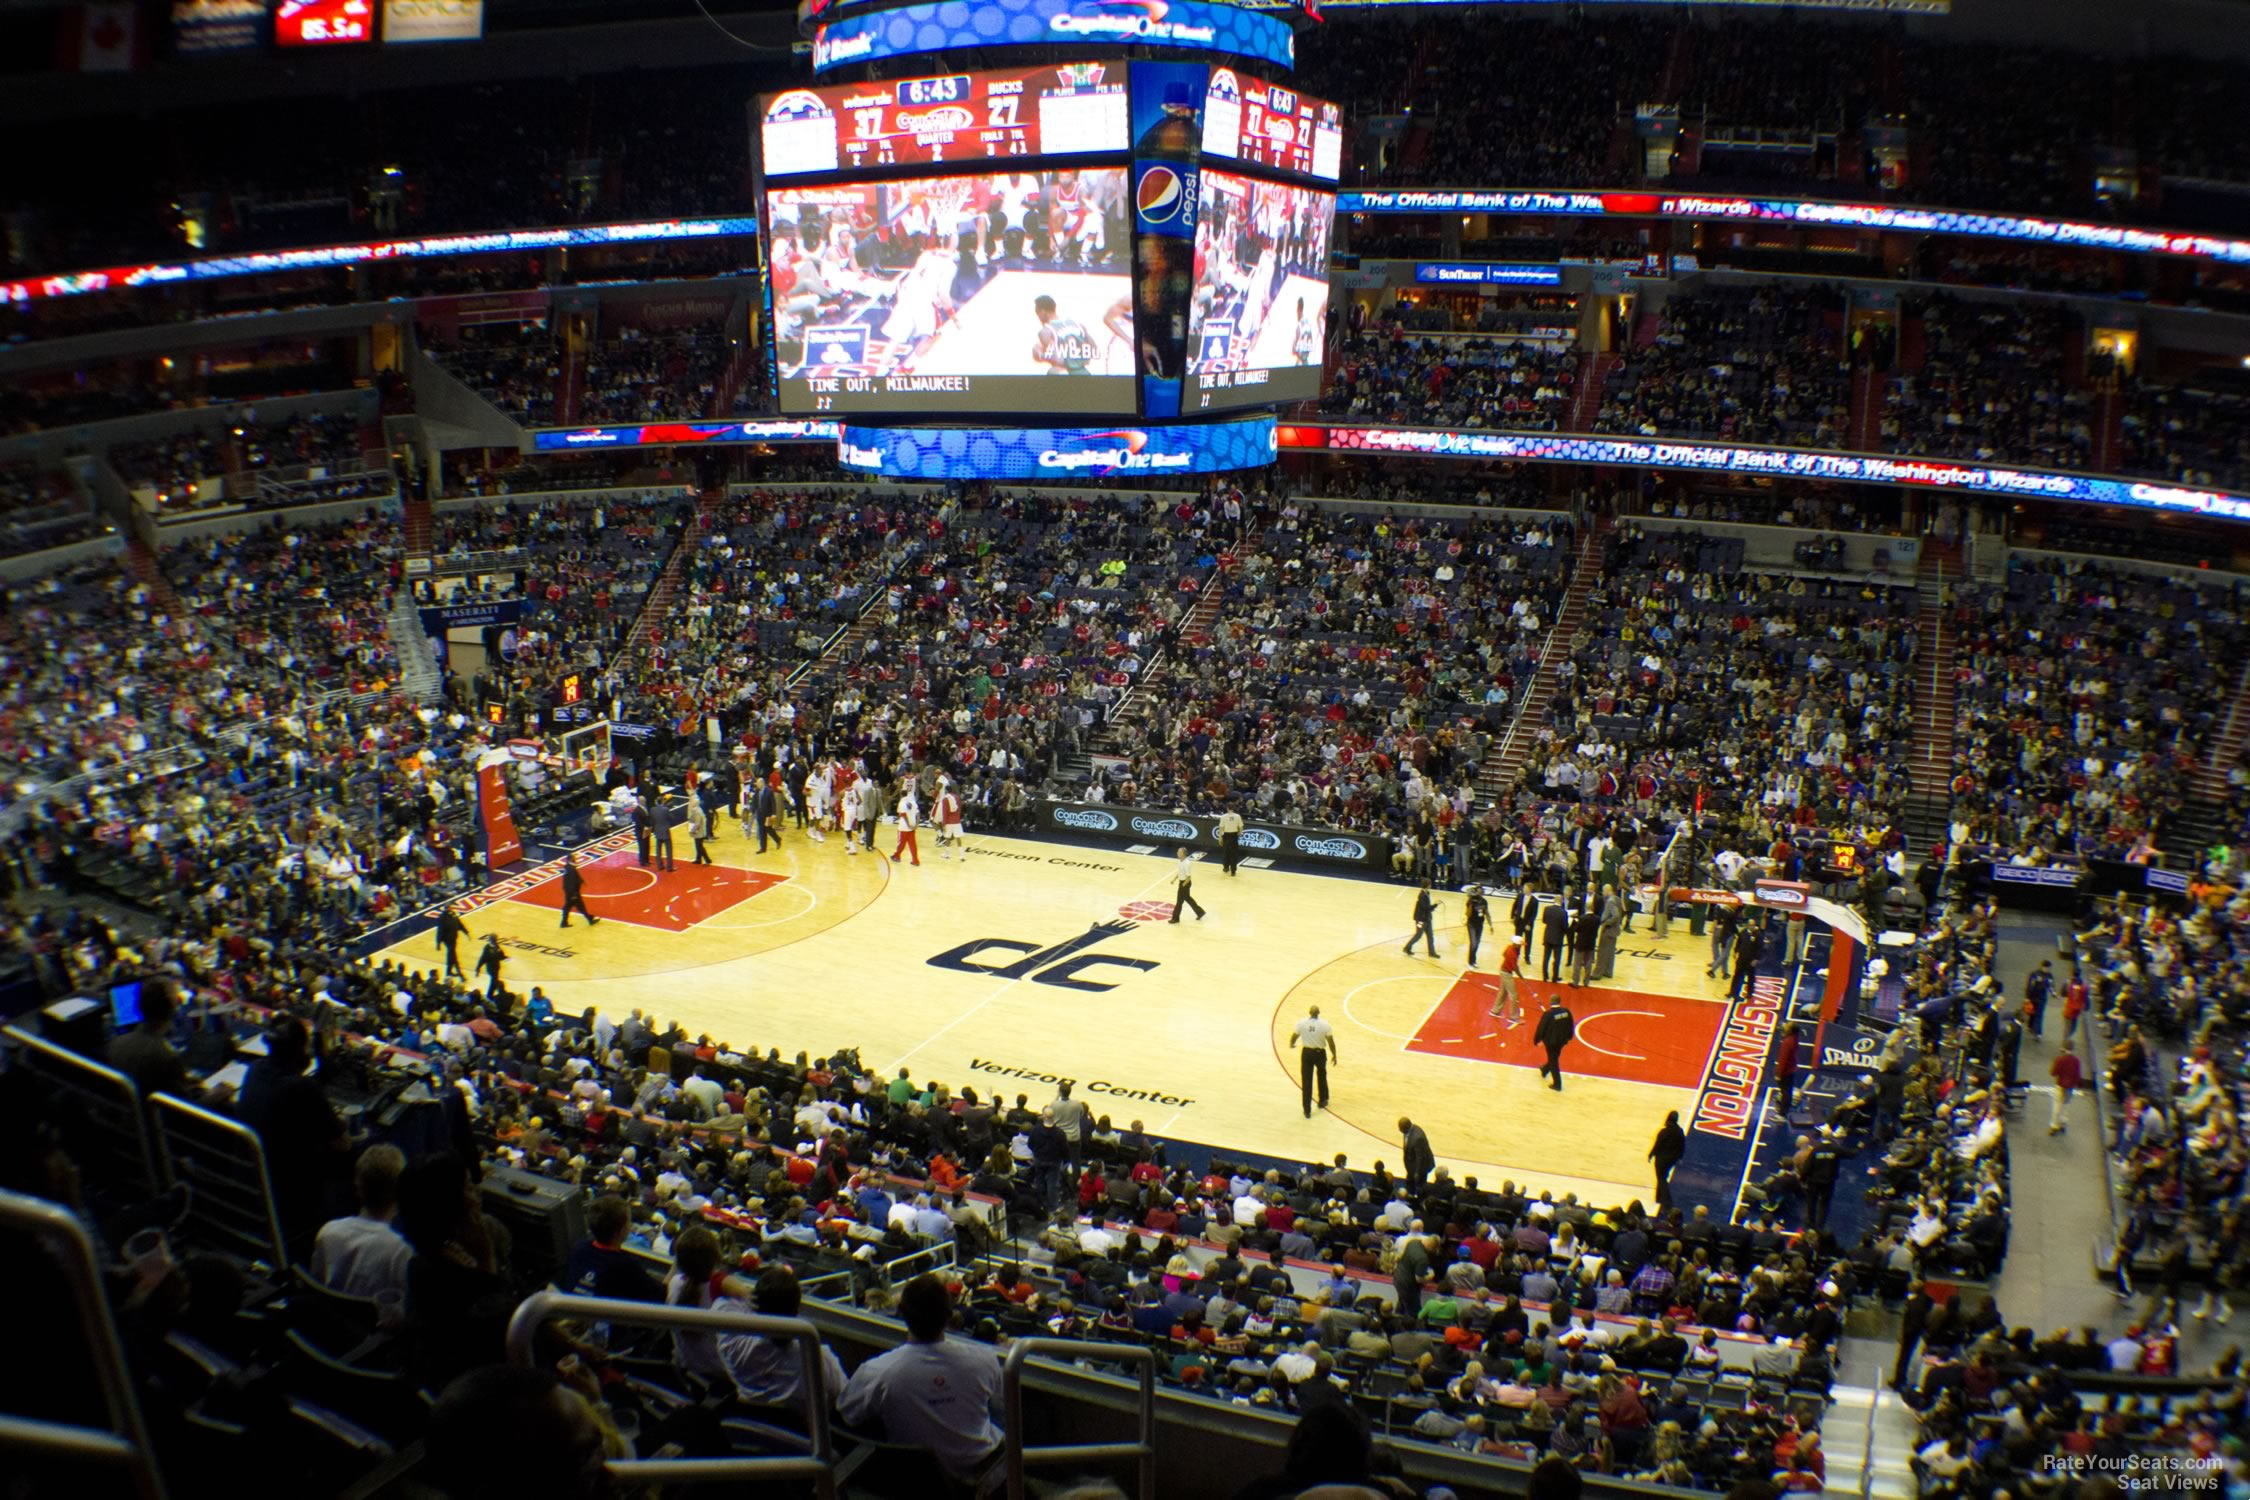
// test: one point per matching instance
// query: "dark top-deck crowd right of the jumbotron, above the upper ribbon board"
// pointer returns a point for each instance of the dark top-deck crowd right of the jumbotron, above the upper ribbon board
(2006, 127)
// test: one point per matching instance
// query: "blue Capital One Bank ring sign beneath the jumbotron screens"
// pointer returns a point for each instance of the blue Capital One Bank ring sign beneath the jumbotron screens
(1056, 453)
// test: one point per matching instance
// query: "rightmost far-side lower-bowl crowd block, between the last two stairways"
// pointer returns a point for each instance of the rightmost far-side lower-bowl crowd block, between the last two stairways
(2085, 696)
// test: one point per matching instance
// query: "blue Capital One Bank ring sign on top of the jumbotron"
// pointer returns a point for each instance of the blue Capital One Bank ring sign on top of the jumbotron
(915, 30)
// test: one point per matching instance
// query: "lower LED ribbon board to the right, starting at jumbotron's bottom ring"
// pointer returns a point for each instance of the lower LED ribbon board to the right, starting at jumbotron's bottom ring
(1772, 462)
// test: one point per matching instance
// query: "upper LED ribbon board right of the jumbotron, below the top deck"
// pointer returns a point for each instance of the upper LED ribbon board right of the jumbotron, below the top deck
(1808, 213)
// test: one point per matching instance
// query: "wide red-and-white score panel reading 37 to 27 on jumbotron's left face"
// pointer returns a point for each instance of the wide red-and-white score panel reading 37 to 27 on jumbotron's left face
(1063, 109)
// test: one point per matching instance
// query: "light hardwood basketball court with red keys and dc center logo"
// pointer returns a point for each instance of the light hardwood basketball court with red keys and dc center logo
(1032, 961)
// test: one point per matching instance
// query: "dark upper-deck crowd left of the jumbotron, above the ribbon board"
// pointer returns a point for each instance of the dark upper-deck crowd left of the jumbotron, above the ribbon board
(600, 147)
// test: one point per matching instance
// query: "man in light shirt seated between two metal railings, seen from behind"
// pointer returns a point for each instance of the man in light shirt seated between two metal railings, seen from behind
(933, 1393)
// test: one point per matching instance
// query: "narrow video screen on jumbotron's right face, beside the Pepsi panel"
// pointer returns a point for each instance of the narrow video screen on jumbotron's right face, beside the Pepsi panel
(1259, 318)
